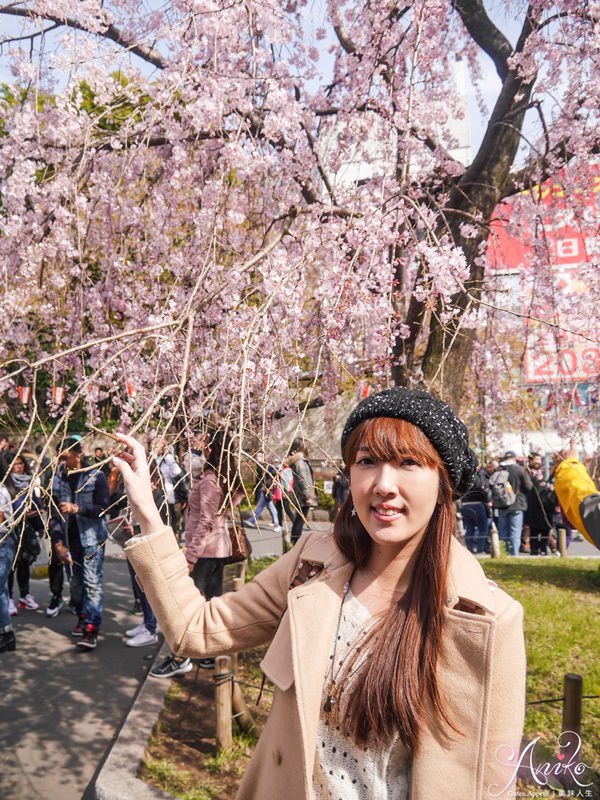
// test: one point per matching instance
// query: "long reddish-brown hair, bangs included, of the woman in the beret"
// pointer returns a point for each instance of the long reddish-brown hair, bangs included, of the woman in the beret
(396, 687)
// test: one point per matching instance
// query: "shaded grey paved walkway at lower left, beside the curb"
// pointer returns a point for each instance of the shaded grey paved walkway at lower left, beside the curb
(60, 707)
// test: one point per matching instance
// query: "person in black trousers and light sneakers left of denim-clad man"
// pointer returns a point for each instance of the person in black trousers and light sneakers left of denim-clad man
(18, 484)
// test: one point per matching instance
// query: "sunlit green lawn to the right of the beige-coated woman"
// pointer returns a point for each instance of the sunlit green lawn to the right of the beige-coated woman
(561, 600)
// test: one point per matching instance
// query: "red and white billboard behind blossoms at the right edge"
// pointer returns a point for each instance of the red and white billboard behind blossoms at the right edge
(560, 345)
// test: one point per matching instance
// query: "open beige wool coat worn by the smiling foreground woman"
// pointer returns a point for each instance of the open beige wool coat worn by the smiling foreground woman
(481, 672)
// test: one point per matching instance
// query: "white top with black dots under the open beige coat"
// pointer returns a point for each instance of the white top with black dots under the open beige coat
(343, 771)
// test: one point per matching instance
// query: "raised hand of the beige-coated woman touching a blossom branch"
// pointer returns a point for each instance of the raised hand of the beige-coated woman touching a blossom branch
(133, 465)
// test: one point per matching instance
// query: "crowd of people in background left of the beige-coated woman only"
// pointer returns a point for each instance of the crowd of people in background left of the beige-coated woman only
(78, 501)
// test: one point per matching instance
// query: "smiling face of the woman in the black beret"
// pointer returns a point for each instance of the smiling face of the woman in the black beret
(394, 500)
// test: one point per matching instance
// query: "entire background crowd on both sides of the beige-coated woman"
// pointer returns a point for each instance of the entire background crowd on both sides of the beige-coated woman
(78, 501)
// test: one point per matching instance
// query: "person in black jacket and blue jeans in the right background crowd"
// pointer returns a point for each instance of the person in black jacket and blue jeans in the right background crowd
(509, 486)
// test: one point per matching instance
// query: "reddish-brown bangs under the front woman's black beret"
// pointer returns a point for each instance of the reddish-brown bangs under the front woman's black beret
(389, 439)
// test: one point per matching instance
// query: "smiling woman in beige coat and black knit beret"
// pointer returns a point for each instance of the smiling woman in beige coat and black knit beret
(399, 669)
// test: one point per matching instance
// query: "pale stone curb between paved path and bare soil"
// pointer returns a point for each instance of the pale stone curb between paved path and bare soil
(117, 779)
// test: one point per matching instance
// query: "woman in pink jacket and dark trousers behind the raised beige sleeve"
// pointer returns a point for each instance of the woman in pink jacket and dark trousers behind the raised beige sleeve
(207, 539)
